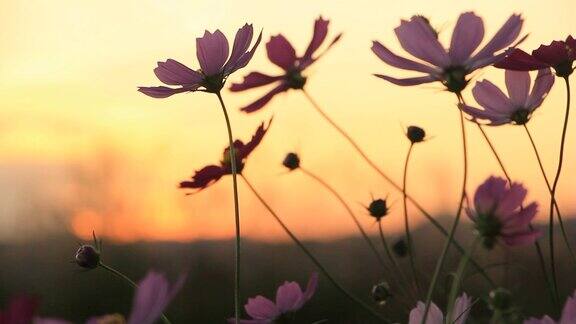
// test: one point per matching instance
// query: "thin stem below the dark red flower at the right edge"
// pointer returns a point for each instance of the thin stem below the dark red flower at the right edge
(553, 193)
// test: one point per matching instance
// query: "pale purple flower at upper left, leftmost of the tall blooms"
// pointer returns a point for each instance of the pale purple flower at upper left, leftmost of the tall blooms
(215, 65)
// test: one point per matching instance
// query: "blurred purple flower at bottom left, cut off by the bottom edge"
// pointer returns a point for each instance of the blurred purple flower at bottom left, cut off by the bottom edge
(153, 295)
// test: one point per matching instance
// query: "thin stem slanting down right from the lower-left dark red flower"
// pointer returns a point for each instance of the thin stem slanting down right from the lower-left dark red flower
(311, 256)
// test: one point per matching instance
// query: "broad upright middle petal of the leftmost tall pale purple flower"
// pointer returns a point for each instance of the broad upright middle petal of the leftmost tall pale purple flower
(212, 52)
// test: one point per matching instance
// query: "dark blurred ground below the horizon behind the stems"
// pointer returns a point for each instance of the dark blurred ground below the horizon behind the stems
(43, 269)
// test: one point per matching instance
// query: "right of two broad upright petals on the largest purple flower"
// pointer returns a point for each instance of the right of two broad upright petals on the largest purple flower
(467, 35)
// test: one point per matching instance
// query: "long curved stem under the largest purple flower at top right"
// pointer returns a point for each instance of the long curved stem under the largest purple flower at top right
(446, 247)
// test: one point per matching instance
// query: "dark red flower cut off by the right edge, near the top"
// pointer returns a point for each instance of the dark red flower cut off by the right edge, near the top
(559, 55)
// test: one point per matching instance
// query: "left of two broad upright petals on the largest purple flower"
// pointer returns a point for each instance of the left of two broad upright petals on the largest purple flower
(418, 38)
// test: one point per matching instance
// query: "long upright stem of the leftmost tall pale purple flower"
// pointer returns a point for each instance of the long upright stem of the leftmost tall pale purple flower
(232, 153)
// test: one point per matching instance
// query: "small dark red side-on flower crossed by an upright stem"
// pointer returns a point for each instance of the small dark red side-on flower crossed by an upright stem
(212, 173)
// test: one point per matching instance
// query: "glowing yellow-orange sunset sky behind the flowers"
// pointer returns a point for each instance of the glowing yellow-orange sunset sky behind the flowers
(82, 149)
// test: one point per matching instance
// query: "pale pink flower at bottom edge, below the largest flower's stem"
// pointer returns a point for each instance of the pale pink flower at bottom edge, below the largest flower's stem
(435, 315)
